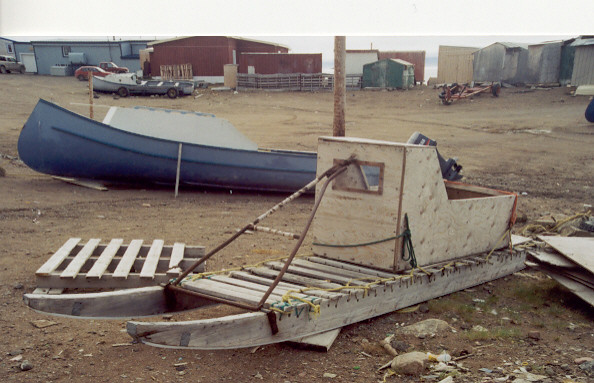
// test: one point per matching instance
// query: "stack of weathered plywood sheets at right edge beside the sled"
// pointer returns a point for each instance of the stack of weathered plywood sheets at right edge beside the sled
(570, 261)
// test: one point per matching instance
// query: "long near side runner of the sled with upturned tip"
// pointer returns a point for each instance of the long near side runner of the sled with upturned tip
(252, 329)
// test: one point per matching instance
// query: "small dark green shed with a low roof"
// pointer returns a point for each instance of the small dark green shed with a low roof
(389, 73)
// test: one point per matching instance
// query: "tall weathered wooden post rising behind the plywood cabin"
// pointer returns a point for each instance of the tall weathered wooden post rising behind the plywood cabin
(339, 86)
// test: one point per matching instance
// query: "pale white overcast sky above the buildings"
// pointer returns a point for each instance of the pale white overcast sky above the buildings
(308, 26)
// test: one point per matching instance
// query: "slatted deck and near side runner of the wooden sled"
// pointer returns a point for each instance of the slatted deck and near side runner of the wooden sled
(326, 280)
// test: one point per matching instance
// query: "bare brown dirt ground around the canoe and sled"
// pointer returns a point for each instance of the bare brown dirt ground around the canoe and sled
(533, 142)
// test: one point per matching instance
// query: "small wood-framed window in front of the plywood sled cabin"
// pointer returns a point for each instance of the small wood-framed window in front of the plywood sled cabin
(361, 177)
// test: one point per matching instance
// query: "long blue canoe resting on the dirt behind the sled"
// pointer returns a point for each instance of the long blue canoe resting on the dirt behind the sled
(59, 142)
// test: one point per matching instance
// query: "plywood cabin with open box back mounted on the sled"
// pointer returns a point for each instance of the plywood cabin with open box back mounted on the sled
(363, 212)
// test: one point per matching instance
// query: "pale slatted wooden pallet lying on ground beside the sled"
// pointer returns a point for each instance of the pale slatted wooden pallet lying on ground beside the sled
(116, 265)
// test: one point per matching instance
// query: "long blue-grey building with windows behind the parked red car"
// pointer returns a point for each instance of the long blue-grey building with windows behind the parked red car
(72, 54)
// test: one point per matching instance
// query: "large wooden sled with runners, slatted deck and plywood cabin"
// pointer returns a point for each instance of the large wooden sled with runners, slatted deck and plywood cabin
(380, 200)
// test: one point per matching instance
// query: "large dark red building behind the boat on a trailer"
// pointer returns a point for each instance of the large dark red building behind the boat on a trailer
(207, 55)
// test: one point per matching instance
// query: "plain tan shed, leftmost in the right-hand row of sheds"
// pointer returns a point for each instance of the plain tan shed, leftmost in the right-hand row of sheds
(454, 64)
